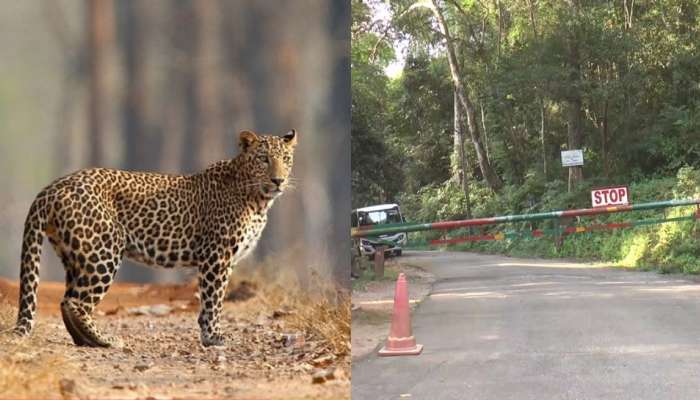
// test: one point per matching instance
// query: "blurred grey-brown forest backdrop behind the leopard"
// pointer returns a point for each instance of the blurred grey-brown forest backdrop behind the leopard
(166, 86)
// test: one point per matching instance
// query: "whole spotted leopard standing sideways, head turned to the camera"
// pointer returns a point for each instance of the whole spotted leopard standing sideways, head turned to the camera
(96, 217)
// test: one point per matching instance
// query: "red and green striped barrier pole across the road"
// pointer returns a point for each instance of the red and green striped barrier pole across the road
(376, 230)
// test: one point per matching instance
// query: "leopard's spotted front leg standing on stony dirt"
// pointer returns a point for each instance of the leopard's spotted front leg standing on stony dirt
(213, 281)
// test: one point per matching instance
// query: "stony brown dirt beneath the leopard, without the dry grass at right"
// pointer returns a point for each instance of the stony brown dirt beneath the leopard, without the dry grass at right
(266, 356)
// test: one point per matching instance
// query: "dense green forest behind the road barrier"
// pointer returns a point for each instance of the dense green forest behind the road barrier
(460, 108)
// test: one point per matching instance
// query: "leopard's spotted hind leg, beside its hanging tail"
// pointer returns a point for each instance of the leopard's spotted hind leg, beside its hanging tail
(91, 260)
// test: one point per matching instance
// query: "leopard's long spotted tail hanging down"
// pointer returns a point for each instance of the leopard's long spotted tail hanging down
(34, 233)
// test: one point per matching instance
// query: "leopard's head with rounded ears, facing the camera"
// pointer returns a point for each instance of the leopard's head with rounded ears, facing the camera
(269, 160)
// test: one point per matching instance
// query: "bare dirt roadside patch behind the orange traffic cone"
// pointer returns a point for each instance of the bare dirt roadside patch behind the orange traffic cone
(373, 305)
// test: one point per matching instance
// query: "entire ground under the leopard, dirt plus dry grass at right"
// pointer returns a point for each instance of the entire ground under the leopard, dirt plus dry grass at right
(272, 337)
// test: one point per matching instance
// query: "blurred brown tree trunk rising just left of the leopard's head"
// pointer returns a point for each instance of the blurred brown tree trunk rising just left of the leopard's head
(207, 79)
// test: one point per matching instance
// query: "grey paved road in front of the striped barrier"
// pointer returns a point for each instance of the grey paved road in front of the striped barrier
(503, 328)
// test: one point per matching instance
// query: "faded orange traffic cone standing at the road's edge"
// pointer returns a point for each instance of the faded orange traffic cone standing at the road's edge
(401, 341)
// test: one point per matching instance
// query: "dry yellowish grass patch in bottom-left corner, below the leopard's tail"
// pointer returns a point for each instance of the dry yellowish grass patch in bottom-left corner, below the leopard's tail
(26, 371)
